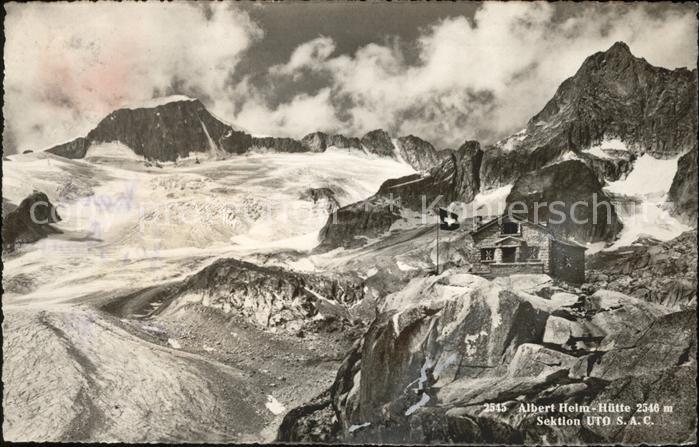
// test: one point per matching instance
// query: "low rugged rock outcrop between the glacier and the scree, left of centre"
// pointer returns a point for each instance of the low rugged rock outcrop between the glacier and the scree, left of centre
(268, 296)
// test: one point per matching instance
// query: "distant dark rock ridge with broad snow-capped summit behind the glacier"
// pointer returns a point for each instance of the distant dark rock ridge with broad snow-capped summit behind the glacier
(172, 130)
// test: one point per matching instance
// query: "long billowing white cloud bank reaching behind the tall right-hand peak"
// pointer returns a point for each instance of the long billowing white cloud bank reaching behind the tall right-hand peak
(473, 79)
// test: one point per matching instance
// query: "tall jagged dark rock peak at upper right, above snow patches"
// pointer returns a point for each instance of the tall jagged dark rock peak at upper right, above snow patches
(616, 94)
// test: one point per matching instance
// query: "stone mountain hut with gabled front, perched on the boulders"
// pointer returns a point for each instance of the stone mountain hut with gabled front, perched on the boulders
(512, 244)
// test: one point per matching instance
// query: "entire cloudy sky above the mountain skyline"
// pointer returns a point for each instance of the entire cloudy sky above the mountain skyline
(447, 72)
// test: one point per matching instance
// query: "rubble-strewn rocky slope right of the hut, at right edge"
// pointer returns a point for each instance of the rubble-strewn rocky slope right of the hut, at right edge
(659, 272)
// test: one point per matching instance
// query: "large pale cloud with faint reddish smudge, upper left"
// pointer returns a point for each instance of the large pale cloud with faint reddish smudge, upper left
(68, 65)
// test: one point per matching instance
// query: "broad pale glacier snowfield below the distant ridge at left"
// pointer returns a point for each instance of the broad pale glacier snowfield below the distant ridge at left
(130, 224)
